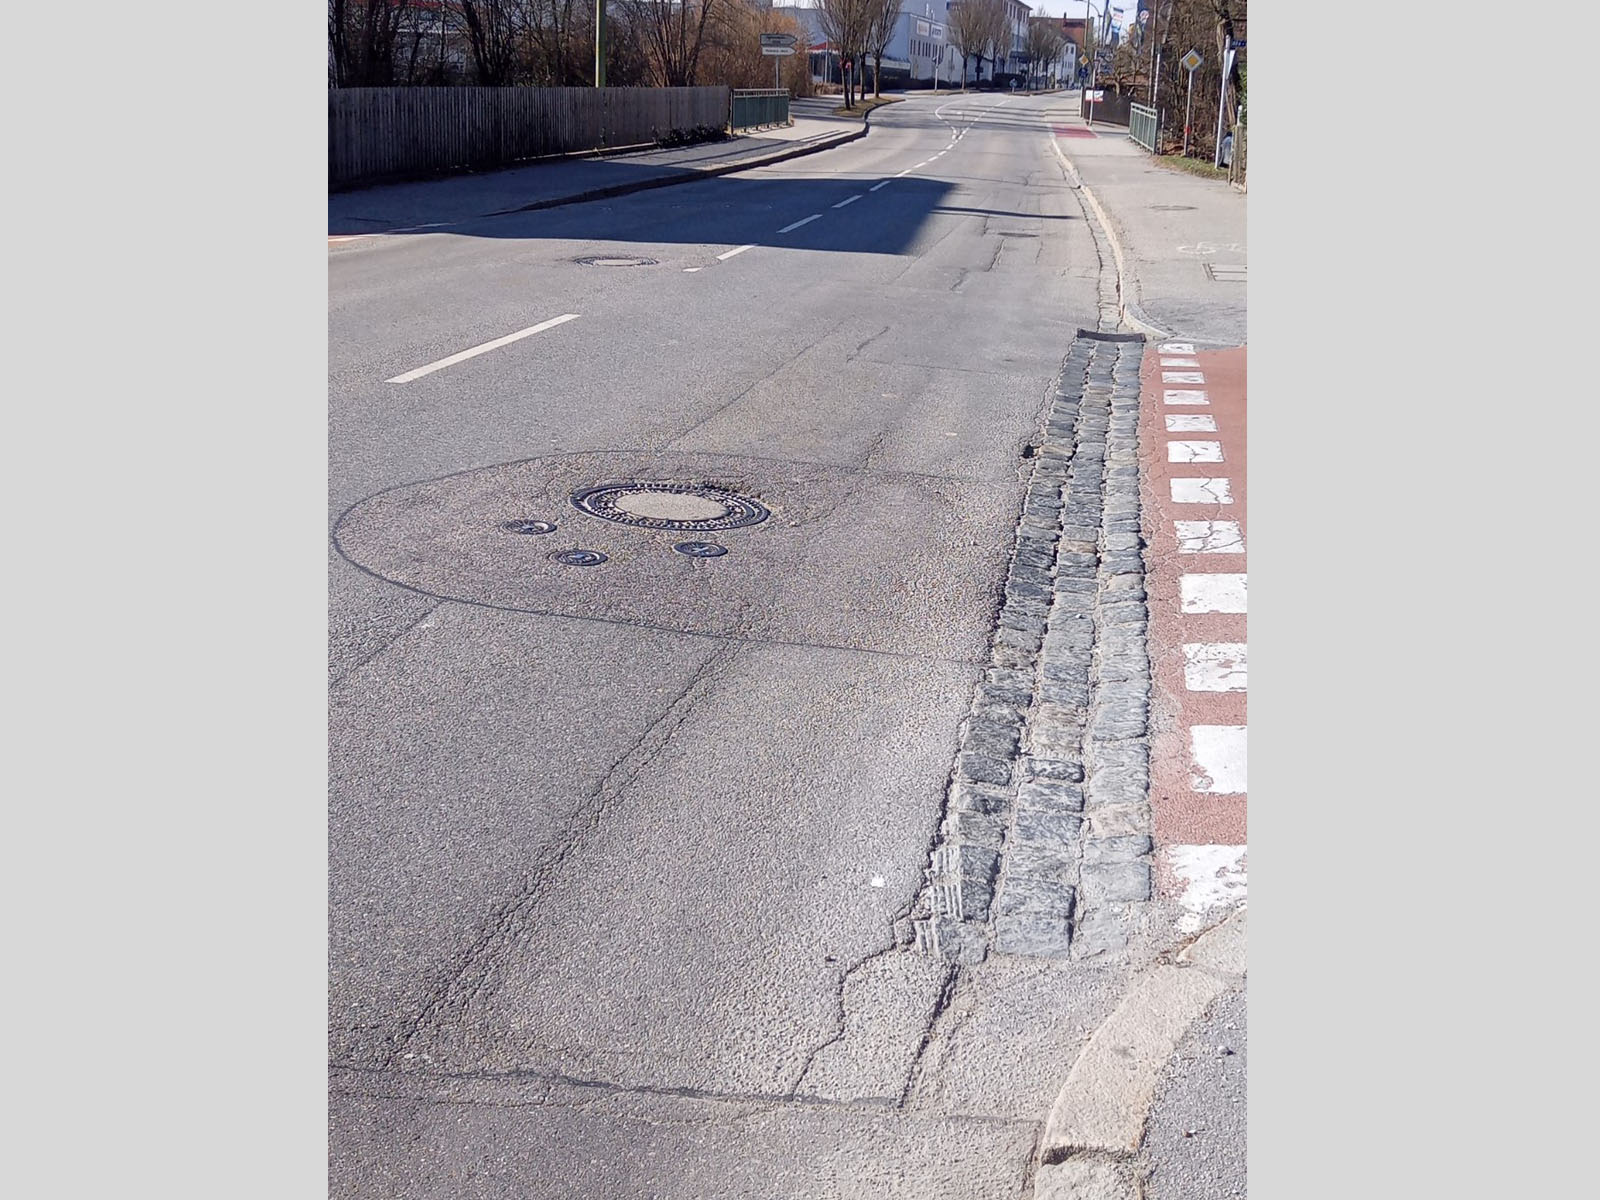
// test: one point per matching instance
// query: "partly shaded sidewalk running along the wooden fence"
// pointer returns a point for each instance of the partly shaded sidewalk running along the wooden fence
(391, 209)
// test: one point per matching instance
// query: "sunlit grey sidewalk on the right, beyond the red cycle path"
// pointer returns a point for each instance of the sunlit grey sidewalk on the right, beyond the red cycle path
(1180, 239)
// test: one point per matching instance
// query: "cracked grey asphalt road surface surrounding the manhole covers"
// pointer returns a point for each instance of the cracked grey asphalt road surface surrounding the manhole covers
(617, 852)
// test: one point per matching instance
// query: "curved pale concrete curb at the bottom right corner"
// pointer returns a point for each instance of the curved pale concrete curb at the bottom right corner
(1102, 1110)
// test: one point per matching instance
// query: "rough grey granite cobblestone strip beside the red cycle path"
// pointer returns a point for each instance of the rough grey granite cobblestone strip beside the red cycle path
(1046, 841)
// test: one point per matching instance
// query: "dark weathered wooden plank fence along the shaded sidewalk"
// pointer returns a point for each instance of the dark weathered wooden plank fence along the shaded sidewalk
(396, 134)
